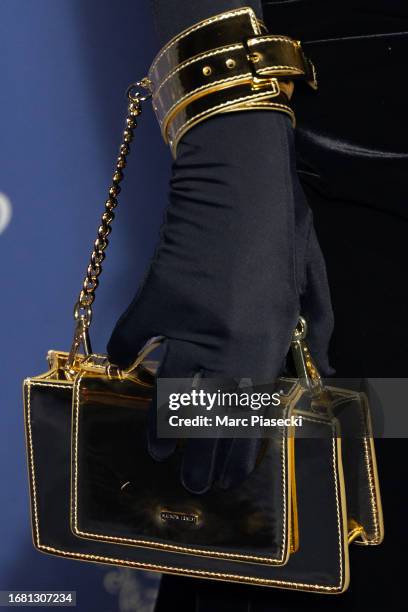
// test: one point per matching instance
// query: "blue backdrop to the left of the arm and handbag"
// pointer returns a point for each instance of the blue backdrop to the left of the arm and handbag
(65, 65)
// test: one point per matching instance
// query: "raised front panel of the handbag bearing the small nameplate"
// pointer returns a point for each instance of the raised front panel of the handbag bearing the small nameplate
(119, 491)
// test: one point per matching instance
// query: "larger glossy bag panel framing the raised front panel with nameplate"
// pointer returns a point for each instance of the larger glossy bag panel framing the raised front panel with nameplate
(321, 564)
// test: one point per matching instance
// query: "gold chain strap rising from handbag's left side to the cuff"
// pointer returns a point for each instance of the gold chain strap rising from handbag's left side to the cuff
(83, 306)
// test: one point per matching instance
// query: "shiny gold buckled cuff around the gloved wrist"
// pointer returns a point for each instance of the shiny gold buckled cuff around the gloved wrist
(223, 64)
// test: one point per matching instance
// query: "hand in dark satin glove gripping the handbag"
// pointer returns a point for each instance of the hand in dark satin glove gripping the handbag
(237, 262)
